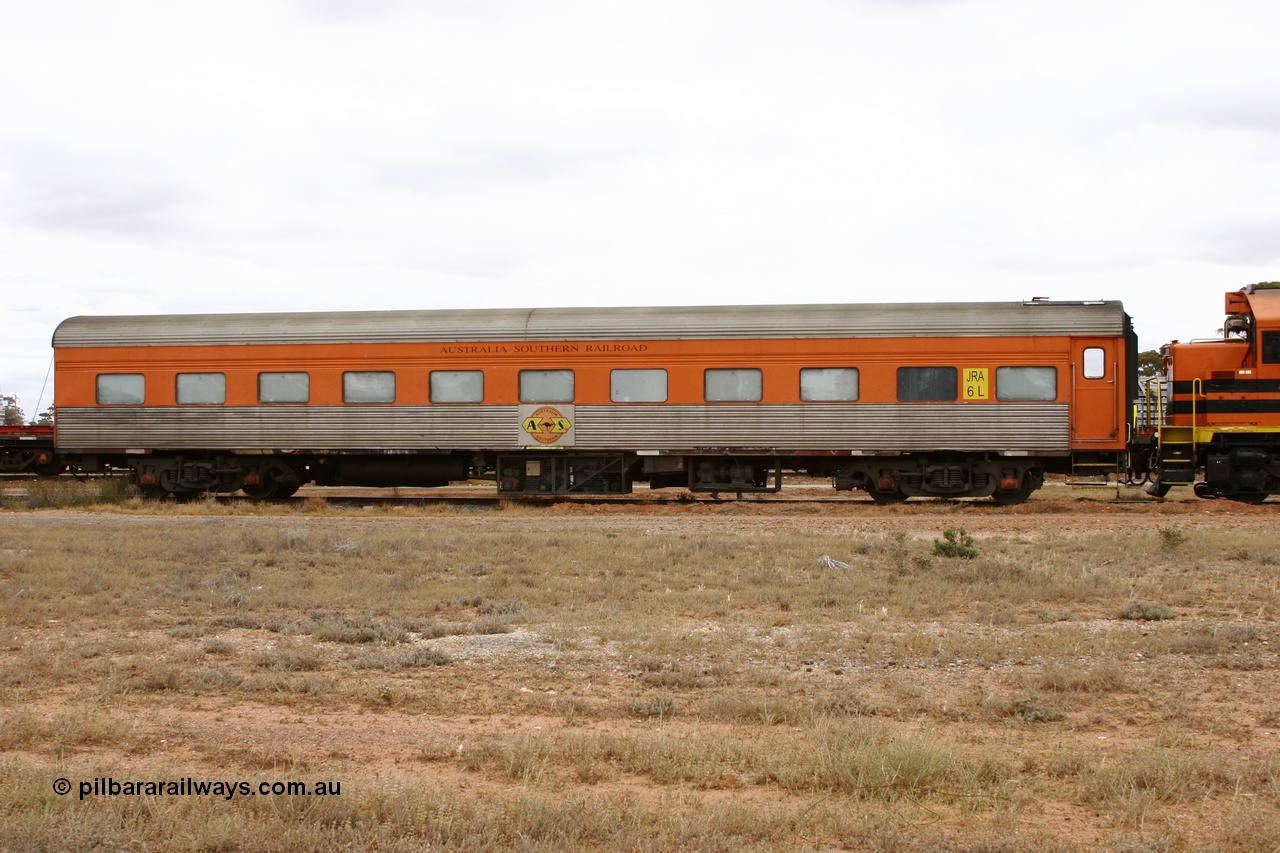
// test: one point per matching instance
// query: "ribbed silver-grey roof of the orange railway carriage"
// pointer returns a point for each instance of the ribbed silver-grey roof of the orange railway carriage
(889, 321)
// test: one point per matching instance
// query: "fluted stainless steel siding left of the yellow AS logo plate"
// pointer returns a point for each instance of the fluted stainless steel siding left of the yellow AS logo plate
(290, 428)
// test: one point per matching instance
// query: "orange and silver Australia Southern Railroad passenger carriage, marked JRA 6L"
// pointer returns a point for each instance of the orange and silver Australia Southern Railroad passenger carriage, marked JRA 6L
(1046, 384)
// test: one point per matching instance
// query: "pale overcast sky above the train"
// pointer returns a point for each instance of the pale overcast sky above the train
(181, 157)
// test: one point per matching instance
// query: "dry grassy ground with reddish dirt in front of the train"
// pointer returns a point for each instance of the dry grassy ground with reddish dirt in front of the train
(499, 682)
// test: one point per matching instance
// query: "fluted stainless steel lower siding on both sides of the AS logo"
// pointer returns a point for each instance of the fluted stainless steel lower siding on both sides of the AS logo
(860, 427)
